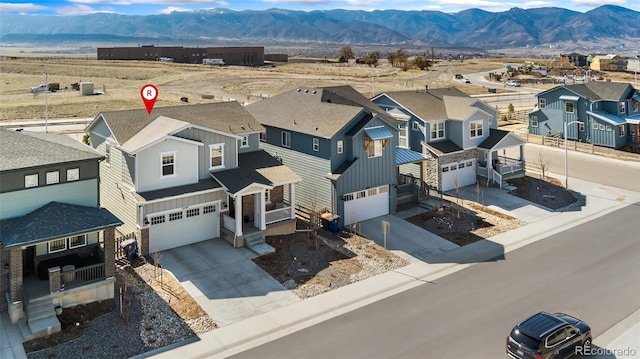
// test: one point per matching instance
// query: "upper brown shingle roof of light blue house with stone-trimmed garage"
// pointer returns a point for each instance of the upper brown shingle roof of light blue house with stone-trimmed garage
(427, 105)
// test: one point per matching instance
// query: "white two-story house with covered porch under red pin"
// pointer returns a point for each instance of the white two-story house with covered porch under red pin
(185, 174)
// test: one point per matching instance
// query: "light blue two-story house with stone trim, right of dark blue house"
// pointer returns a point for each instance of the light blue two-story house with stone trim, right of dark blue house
(459, 133)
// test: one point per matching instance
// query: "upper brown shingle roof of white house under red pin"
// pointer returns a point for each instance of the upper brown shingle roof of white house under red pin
(227, 117)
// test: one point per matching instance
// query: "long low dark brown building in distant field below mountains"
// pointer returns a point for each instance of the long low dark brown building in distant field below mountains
(244, 56)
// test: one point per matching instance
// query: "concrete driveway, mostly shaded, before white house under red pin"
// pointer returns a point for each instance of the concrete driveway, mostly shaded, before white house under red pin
(225, 281)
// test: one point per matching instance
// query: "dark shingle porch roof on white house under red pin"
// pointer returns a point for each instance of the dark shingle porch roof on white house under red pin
(255, 167)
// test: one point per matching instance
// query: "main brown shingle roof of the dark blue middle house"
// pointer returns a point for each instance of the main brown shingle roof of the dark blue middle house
(320, 112)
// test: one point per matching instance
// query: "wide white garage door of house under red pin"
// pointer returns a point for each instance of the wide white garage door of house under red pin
(184, 226)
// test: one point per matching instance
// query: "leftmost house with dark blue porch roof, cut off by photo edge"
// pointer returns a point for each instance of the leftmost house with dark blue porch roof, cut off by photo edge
(57, 244)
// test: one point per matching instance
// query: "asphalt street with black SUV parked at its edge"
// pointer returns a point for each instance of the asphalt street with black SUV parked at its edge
(591, 271)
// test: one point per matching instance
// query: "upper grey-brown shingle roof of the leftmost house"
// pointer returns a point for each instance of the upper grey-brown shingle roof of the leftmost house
(32, 149)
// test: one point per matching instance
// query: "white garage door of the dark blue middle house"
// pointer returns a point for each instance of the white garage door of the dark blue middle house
(369, 203)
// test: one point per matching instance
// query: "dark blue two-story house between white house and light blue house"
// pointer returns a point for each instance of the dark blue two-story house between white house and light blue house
(340, 143)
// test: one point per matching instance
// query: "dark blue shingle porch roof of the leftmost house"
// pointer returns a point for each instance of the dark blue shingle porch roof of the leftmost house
(55, 220)
